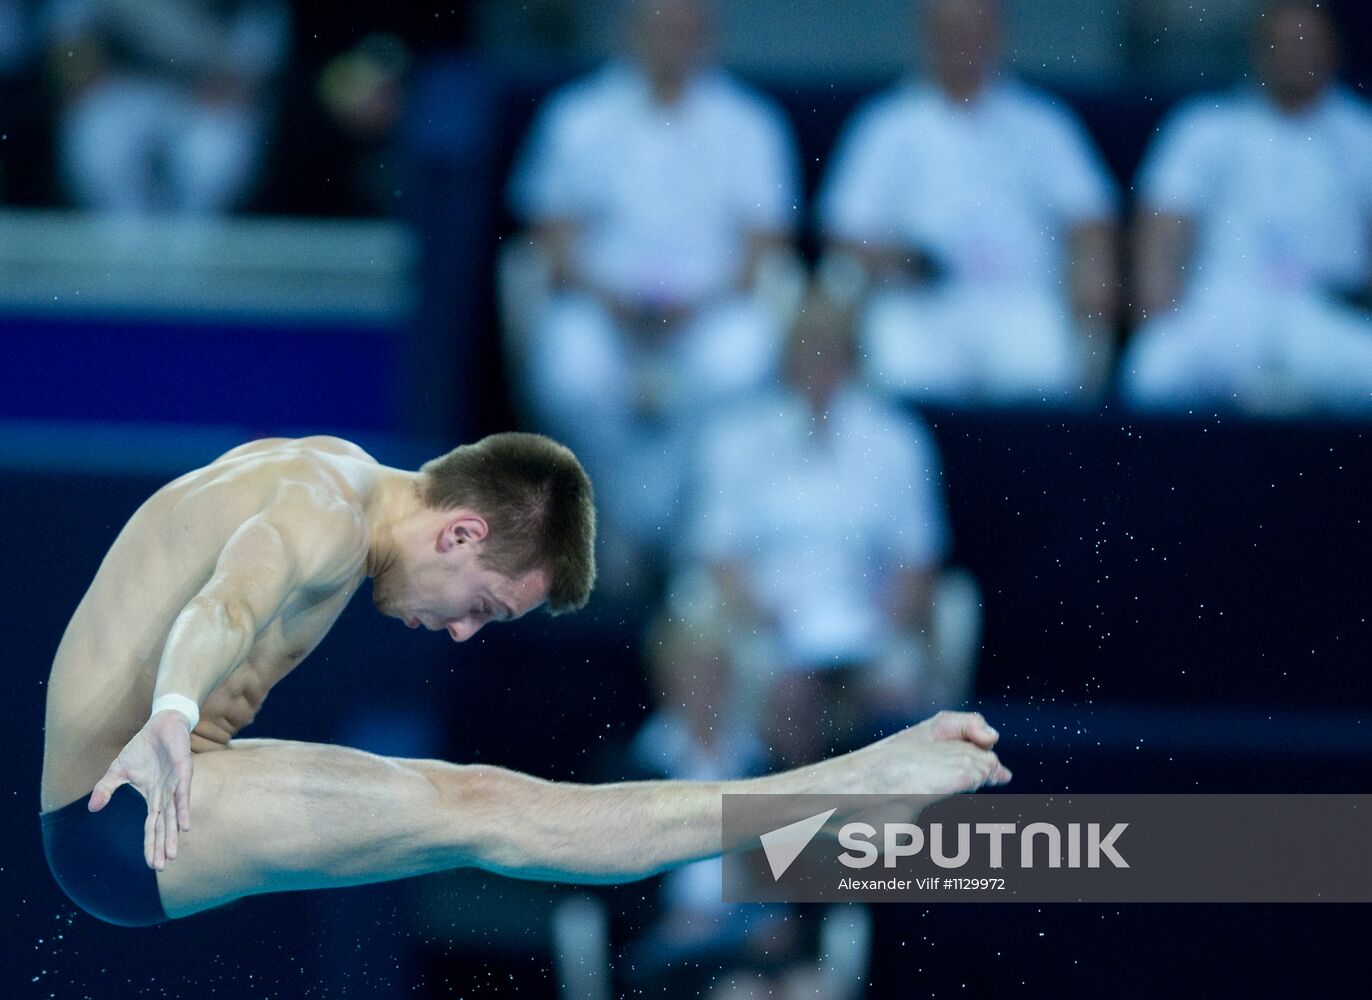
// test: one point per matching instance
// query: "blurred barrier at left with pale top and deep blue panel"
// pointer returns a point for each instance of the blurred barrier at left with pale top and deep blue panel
(252, 323)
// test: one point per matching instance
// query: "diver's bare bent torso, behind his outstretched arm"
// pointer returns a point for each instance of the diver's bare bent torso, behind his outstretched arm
(101, 688)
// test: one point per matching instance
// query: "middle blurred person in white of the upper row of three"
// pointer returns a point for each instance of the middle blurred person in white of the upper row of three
(986, 220)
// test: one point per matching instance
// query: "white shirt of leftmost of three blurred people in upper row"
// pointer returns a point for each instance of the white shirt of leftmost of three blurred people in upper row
(669, 195)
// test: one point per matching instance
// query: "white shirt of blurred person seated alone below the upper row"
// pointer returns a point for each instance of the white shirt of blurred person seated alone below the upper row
(821, 523)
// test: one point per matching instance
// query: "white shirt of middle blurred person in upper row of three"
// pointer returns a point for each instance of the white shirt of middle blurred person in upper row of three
(989, 187)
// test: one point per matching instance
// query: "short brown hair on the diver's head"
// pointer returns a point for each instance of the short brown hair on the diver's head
(537, 501)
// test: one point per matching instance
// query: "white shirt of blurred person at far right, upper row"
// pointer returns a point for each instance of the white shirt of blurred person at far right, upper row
(1279, 201)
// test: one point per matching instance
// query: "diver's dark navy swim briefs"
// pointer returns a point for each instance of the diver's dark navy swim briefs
(98, 859)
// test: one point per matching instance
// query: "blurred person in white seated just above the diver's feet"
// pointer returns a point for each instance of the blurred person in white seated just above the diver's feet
(821, 532)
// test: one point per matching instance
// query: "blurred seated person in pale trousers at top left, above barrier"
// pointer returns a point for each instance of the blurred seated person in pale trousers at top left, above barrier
(167, 99)
